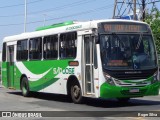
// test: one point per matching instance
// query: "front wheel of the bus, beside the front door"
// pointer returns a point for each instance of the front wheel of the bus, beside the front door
(76, 93)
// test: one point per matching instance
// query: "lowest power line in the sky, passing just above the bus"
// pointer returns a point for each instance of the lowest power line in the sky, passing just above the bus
(67, 16)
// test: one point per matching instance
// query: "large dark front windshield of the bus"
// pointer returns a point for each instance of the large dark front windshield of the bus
(127, 51)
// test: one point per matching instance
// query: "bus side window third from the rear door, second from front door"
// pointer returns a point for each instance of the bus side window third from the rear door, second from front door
(50, 47)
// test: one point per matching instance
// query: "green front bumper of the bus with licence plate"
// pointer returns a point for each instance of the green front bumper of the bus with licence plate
(108, 91)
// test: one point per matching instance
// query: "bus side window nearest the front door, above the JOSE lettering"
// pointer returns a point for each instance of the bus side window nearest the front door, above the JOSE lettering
(68, 45)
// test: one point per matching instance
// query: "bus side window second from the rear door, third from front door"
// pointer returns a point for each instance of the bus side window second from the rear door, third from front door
(35, 48)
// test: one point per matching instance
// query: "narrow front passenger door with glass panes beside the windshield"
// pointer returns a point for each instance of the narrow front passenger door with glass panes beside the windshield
(87, 65)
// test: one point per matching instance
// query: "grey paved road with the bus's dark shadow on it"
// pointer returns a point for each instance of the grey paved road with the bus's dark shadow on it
(12, 100)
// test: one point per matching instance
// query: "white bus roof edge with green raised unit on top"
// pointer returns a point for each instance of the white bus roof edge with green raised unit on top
(61, 28)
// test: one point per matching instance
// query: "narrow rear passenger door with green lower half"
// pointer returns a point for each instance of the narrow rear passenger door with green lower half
(10, 66)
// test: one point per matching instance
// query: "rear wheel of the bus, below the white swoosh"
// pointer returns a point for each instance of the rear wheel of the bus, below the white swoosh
(25, 87)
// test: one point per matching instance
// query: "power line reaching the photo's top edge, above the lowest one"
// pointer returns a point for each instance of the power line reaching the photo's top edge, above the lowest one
(53, 9)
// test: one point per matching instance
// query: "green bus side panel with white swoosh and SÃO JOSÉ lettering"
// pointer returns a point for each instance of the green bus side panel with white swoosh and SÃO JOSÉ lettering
(42, 74)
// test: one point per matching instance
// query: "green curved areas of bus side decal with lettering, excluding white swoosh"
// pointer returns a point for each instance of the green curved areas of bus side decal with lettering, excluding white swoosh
(39, 67)
